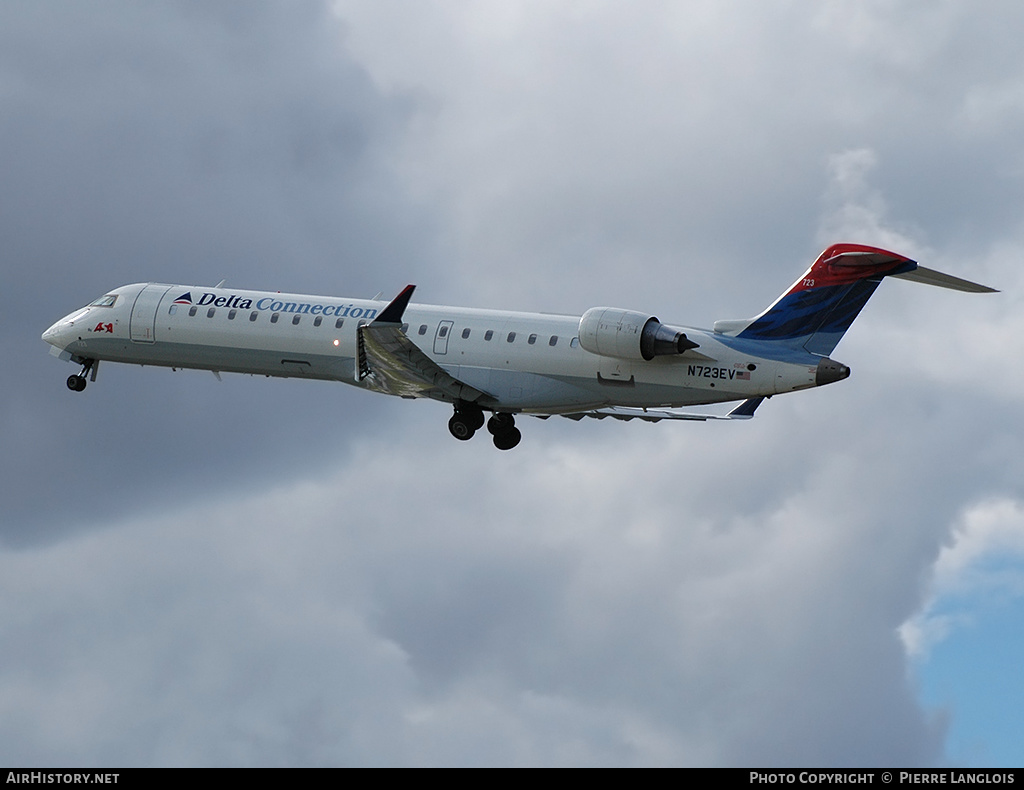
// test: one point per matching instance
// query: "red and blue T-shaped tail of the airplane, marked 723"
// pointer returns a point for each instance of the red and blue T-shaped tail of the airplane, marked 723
(819, 309)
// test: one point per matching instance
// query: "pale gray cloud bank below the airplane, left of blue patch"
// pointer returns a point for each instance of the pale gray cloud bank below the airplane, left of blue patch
(672, 625)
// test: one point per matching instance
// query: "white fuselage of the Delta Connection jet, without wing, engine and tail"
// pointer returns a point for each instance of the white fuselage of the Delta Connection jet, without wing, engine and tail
(526, 362)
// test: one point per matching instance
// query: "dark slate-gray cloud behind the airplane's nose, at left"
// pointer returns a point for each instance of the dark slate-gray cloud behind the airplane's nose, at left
(179, 144)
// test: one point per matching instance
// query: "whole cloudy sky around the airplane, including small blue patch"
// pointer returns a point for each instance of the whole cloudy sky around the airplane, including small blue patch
(263, 572)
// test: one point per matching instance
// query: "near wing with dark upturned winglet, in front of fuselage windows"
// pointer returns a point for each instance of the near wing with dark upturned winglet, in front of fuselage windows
(390, 362)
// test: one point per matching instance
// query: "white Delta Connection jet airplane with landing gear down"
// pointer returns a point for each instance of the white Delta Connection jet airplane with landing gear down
(608, 363)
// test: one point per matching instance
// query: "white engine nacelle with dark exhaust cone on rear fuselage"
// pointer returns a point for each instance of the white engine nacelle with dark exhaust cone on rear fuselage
(630, 336)
